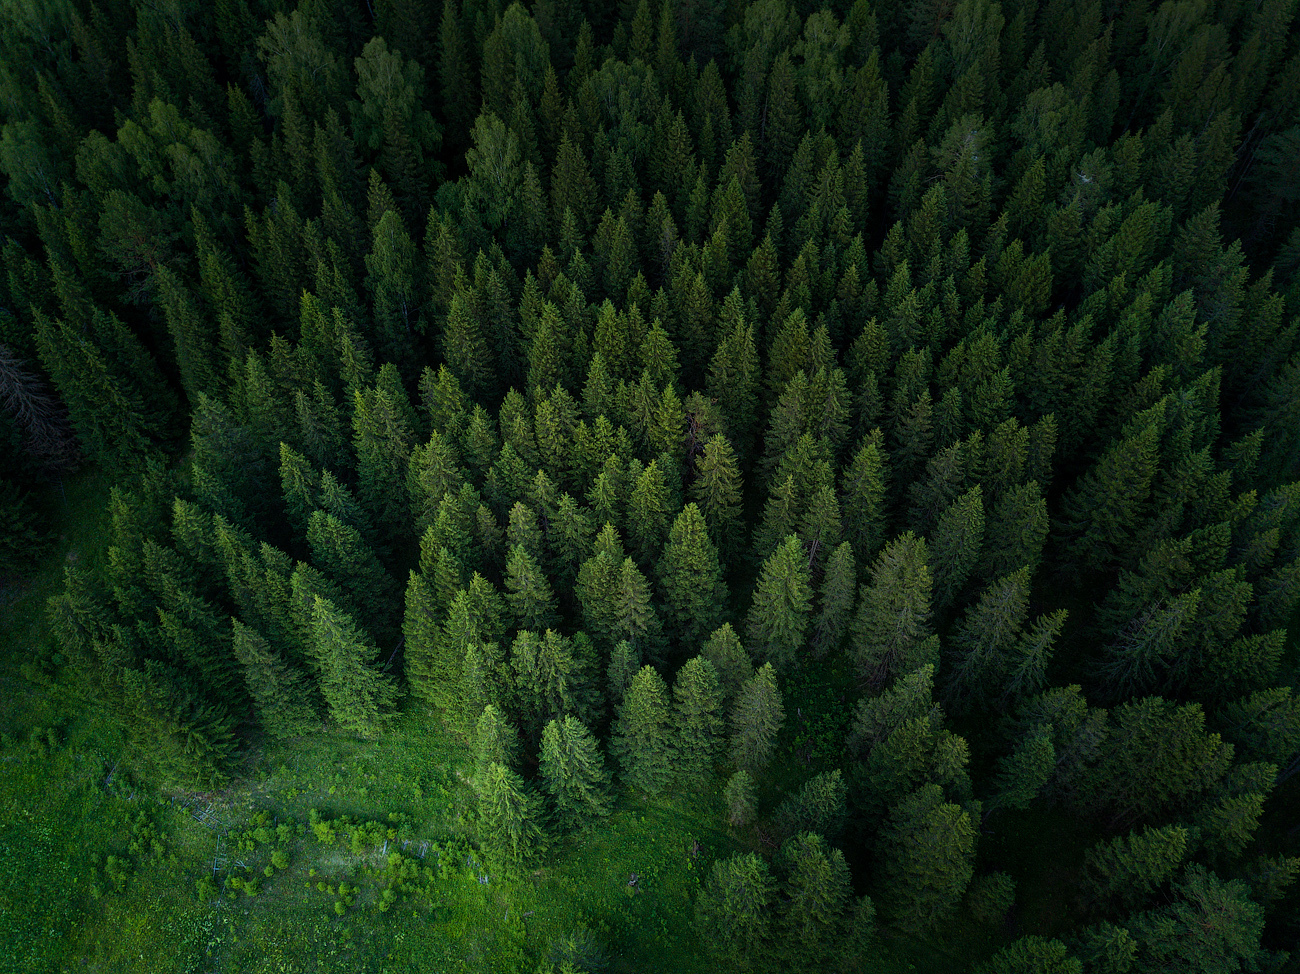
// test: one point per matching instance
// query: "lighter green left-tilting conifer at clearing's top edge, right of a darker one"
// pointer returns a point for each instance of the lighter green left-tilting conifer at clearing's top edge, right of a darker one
(358, 695)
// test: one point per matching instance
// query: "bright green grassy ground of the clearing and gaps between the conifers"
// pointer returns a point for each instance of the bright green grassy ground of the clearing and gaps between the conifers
(101, 873)
